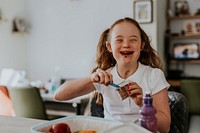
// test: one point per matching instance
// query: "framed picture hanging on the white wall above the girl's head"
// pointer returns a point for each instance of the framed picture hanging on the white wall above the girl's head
(143, 11)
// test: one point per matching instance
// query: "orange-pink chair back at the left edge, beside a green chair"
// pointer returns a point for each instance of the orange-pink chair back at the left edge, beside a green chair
(6, 107)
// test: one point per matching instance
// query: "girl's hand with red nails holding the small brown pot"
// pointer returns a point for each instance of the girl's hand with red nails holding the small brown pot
(135, 92)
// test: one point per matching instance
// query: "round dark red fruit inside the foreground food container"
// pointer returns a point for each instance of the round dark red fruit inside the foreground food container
(61, 128)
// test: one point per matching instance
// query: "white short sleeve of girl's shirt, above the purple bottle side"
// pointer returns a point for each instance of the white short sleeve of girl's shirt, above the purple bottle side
(157, 81)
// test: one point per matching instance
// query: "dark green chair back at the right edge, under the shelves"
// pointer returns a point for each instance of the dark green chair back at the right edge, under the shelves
(190, 88)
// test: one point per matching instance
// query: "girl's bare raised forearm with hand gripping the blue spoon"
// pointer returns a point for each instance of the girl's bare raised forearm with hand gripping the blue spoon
(74, 88)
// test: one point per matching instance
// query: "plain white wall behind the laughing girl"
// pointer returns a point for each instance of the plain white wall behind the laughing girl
(64, 34)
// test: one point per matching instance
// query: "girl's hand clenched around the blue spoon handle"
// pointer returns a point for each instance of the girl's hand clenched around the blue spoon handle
(101, 77)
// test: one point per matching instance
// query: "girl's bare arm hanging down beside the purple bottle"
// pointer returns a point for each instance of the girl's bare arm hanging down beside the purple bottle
(161, 103)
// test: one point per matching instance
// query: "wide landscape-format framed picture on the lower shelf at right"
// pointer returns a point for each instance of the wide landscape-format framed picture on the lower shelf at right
(186, 51)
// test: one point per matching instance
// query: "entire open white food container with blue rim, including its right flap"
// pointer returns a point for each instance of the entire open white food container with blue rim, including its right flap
(85, 124)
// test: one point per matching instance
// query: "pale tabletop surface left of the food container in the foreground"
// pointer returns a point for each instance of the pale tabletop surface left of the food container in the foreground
(10, 124)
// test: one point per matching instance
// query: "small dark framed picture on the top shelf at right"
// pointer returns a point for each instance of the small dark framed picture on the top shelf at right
(181, 8)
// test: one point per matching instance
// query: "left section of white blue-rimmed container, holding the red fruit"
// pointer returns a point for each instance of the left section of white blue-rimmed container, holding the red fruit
(75, 124)
